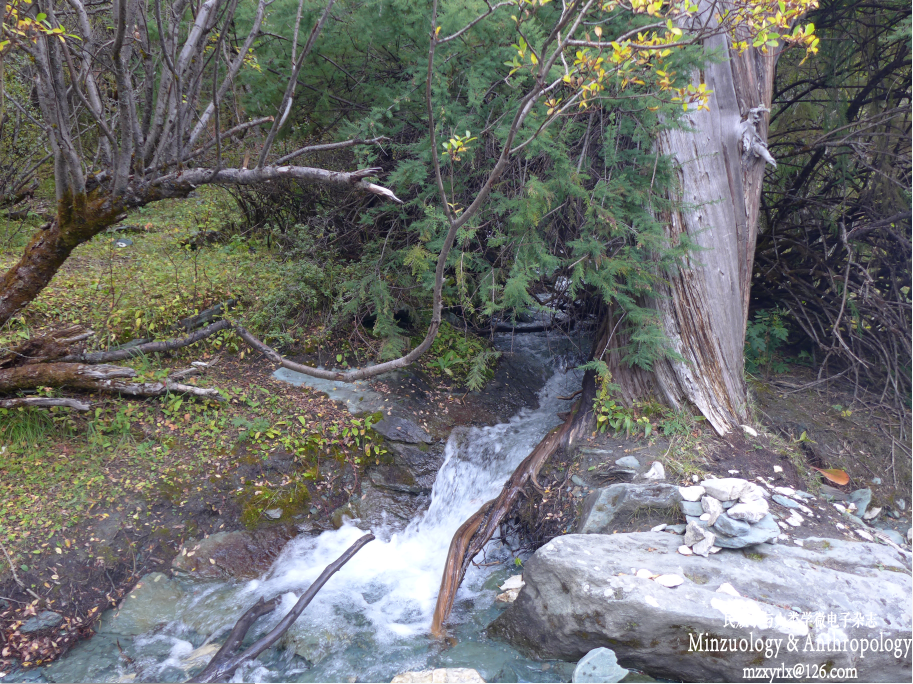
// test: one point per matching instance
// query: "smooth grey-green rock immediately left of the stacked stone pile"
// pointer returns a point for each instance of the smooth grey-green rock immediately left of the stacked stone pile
(606, 509)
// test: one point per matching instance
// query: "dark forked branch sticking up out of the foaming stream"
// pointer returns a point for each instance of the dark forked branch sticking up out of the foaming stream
(224, 663)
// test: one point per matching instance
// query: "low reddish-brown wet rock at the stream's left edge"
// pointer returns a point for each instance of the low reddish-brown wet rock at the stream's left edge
(237, 555)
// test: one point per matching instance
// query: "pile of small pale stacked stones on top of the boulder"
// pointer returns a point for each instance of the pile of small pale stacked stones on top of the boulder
(728, 513)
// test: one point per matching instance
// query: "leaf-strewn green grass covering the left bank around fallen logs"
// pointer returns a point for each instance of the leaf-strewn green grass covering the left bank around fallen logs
(58, 468)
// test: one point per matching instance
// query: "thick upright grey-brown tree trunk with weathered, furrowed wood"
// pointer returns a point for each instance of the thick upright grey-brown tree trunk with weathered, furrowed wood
(705, 307)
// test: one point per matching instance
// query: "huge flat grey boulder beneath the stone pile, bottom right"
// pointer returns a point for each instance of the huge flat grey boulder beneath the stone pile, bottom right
(581, 593)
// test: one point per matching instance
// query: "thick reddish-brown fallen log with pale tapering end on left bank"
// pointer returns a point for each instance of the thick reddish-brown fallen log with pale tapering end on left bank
(100, 378)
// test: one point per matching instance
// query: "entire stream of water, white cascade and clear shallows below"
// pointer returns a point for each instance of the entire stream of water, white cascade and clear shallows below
(372, 619)
